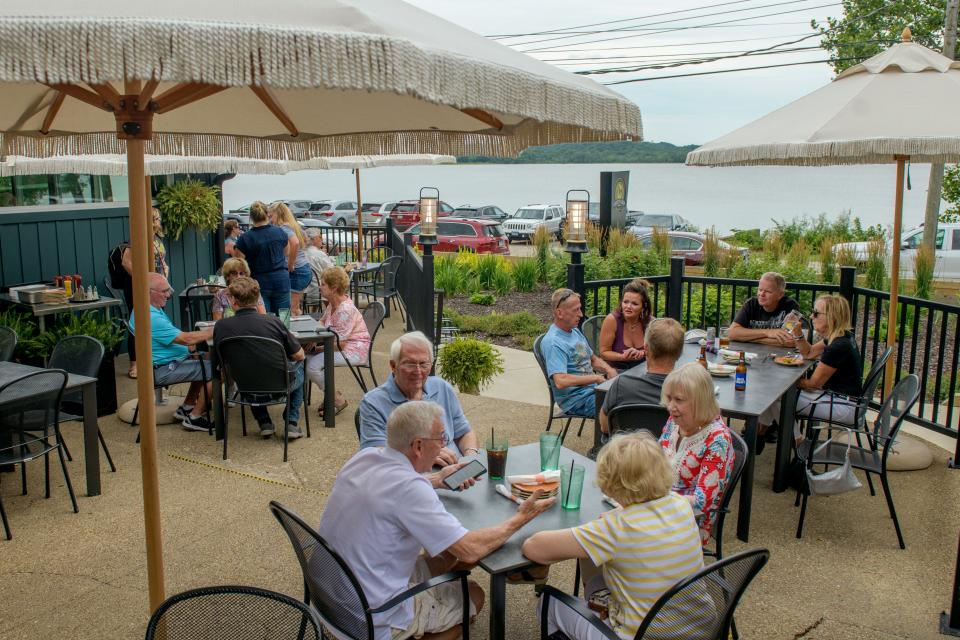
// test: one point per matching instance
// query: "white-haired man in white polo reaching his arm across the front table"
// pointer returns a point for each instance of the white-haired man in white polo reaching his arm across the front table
(387, 495)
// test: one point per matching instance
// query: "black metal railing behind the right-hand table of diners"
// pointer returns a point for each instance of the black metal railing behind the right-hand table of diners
(927, 332)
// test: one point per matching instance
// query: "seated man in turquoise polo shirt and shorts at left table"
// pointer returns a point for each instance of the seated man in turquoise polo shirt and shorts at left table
(171, 364)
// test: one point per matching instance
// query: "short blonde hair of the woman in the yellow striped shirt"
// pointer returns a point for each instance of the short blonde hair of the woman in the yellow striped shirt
(632, 468)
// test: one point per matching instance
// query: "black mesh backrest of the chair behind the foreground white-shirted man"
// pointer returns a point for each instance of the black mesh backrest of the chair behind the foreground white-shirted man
(329, 583)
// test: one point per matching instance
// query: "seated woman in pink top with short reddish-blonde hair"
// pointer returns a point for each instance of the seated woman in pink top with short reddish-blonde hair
(341, 316)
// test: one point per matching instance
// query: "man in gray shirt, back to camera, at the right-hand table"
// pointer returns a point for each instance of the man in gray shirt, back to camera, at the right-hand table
(664, 345)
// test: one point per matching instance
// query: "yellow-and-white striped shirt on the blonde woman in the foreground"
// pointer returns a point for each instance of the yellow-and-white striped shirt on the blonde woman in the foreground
(643, 550)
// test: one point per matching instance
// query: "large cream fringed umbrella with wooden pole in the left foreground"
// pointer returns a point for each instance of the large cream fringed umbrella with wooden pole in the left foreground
(279, 80)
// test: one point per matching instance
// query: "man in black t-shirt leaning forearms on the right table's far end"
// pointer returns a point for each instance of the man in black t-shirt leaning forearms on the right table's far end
(760, 319)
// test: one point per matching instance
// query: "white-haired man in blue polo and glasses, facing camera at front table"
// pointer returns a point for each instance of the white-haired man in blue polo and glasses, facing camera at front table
(411, 359)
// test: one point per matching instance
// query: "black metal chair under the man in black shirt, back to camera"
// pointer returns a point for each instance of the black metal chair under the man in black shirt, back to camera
(258, 368)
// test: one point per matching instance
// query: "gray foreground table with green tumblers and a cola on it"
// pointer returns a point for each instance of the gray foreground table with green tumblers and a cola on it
(481, 506)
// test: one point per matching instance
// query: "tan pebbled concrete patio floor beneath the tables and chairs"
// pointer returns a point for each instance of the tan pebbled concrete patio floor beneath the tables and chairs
(83, 575)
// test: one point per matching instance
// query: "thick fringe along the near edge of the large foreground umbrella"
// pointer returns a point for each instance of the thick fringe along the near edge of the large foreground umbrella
(88, 50)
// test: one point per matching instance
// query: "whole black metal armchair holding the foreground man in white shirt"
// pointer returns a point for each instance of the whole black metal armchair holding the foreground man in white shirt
(334, 591)
